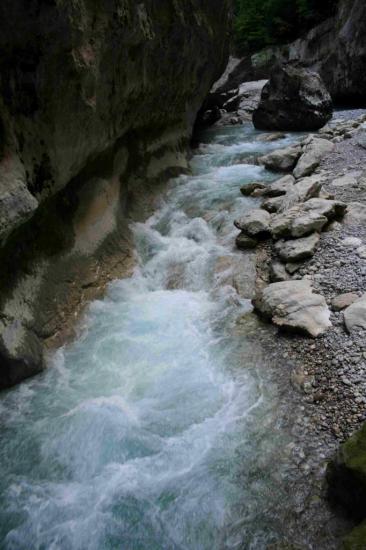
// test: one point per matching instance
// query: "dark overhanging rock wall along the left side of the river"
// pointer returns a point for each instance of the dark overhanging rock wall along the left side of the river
(97, 103)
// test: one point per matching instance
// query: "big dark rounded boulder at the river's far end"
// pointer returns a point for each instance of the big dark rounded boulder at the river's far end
(294, 99)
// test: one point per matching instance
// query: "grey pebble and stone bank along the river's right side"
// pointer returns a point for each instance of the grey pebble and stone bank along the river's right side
(326, 372)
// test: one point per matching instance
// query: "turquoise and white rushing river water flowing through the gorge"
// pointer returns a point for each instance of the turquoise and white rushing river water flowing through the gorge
(158, 428)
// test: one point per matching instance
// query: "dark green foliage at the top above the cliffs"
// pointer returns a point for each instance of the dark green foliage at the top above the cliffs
(261, 23)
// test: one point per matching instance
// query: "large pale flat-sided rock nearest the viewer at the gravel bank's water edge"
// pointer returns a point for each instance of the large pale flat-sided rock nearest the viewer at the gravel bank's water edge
(292, 305)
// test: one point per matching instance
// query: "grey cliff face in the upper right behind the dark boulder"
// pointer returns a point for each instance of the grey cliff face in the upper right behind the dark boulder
(336, 49)
